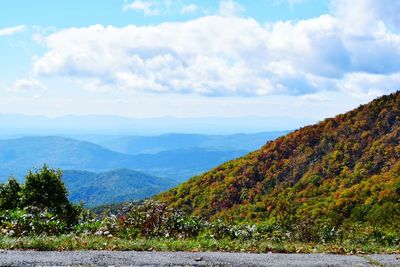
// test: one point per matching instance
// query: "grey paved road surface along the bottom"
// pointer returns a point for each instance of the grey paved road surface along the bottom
(131, 258)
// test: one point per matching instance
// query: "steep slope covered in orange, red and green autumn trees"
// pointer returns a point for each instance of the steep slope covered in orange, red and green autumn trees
(344, 167)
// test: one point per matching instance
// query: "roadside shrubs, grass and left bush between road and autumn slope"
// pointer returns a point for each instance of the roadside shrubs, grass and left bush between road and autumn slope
(38, 215)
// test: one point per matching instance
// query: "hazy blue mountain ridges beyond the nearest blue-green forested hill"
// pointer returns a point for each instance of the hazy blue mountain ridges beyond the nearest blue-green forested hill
(171, 157)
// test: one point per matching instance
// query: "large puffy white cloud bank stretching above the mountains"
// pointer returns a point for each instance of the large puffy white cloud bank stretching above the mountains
(230, 55)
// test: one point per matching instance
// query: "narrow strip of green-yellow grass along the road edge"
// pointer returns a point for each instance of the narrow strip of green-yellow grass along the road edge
(72, 242)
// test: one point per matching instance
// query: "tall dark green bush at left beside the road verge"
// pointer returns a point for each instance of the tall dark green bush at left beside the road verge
(38, 206)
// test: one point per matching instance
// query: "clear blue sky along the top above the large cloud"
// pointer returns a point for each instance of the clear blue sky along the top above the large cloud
(76, 13)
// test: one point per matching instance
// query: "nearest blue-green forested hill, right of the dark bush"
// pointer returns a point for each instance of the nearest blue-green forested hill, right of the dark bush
(112, 187)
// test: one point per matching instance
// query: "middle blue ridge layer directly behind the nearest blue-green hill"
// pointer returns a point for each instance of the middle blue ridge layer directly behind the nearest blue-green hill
(17, 156)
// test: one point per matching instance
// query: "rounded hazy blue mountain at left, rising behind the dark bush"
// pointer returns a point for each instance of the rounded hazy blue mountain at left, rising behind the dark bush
(22, 154)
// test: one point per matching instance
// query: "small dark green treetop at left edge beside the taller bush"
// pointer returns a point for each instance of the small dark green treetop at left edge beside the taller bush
(10, 195)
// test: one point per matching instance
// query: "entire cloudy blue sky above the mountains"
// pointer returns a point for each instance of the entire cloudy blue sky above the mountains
(186, 58)
